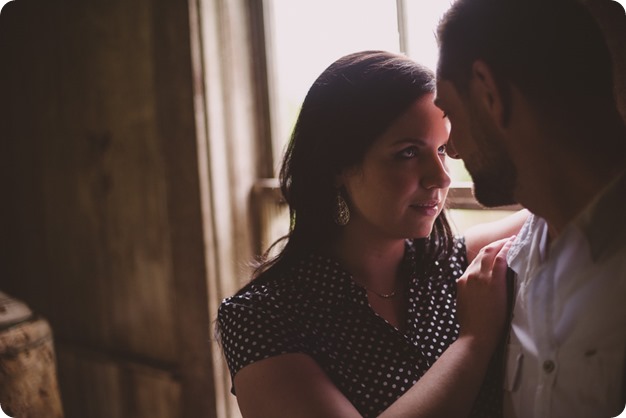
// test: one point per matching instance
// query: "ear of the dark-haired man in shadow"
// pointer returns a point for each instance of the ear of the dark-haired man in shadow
(488, 93)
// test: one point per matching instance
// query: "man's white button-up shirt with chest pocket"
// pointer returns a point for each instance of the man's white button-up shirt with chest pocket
(567, 347)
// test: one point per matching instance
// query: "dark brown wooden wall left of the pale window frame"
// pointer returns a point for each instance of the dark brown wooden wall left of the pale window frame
(101, 220)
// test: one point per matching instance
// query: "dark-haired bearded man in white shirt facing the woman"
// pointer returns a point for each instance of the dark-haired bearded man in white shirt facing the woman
(527, 86)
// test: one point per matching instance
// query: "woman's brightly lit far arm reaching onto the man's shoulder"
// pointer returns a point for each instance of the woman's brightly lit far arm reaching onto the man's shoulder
(477, 236)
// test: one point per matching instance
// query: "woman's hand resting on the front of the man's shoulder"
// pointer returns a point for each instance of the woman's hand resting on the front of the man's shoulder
(481, 296)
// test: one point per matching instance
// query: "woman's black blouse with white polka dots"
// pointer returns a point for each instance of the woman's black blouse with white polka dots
(320, 311)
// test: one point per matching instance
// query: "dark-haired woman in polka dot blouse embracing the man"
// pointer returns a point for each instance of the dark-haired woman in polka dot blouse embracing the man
(357, 314)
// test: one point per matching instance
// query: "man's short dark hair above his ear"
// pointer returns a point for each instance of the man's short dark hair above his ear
(553, 51)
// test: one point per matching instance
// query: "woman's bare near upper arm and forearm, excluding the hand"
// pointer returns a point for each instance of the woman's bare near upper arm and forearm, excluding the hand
(293, 385)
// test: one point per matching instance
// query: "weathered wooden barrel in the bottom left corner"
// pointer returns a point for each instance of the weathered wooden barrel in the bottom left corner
(28, 380)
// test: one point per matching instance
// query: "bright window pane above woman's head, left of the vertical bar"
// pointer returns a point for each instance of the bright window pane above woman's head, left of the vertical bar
(307, 36)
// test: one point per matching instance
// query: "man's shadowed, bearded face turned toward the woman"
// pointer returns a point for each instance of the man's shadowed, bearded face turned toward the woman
(474, 138)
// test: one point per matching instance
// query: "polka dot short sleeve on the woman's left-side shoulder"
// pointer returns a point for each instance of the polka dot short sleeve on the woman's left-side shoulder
(252, 329)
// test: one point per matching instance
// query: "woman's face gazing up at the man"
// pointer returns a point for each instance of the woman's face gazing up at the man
(402, 183)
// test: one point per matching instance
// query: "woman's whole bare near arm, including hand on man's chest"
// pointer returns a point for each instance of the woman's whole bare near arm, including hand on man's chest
(293, 385)
